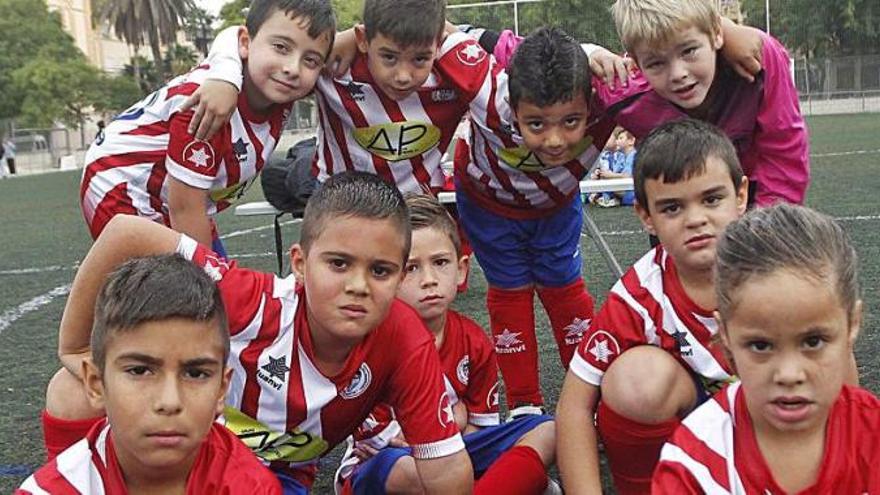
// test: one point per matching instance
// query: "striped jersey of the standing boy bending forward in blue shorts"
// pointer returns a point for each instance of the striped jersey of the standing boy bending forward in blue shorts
(499, 173)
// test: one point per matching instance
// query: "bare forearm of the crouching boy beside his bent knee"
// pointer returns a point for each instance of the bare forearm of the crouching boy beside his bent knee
(576, 449)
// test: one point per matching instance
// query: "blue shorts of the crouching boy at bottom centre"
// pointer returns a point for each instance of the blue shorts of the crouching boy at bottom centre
(484, 447)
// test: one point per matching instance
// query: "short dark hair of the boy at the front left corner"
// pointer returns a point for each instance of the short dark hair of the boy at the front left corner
(155, 288)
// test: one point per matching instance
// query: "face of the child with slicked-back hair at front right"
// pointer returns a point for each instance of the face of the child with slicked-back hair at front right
(791, 340)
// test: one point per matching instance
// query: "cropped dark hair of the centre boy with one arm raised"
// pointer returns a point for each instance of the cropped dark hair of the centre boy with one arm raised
(359, 195)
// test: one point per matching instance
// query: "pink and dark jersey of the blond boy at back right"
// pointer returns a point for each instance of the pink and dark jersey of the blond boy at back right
(763, 120)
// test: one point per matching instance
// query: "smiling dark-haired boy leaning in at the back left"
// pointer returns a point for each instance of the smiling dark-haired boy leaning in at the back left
(146, 163)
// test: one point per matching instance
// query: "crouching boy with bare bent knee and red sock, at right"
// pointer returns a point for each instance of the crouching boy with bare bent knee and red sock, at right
(649, 351)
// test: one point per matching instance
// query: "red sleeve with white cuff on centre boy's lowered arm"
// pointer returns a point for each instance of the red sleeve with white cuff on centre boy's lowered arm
(418, 395)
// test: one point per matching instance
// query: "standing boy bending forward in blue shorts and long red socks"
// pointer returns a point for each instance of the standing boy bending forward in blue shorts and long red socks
(533, 138)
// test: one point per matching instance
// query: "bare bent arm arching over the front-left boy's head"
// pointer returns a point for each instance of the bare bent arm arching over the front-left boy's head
(125, 237)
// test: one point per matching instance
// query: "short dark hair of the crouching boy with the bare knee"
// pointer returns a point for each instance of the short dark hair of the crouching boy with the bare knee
(678, 150)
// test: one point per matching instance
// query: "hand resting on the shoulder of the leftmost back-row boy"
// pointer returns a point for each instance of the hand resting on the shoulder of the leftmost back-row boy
(216, 102)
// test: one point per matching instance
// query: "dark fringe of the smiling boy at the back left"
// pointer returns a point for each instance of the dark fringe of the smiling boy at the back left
(318, 13)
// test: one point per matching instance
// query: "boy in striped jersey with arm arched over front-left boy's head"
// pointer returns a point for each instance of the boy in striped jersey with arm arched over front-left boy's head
(309, 352)
